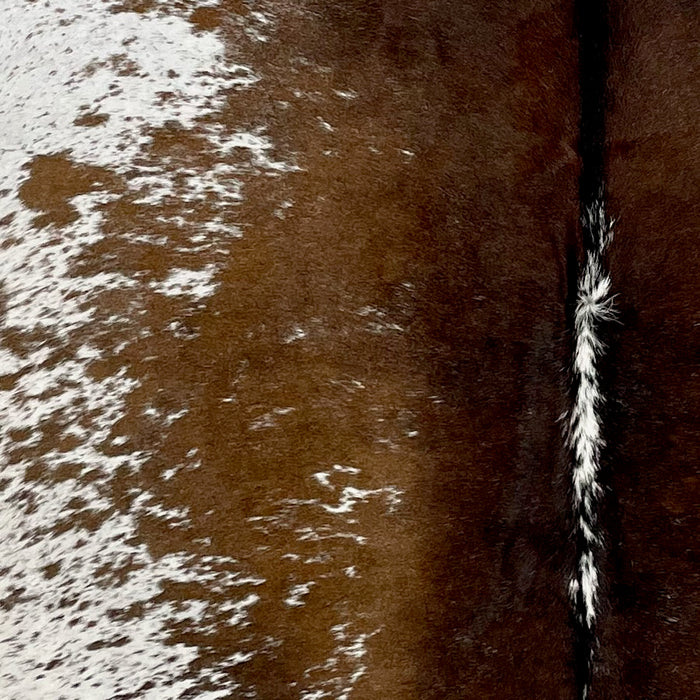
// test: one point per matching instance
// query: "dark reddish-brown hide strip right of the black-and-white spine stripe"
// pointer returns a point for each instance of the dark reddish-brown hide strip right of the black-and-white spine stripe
(649, 634)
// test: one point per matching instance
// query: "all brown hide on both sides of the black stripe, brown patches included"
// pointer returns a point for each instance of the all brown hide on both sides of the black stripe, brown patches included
(375, 392)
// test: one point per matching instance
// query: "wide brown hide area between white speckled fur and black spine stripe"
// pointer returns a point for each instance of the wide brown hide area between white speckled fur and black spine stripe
(425, 256)
